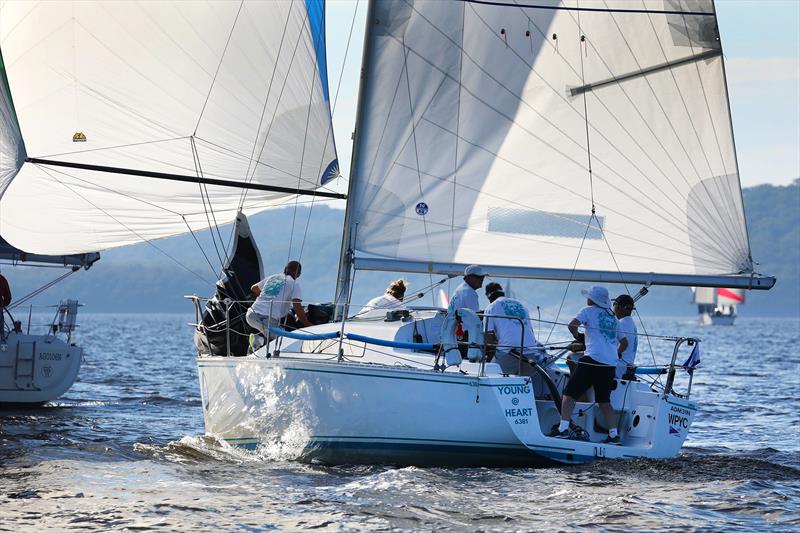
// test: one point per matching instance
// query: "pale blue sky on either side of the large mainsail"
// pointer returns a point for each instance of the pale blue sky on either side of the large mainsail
(761, 42)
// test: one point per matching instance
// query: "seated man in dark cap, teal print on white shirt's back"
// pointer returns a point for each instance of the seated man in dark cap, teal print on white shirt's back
(511, 333)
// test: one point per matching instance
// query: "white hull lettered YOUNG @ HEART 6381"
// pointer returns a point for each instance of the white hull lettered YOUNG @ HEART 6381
(352, 412)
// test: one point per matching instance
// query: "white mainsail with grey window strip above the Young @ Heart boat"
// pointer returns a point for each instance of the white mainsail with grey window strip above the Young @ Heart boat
(480, 122)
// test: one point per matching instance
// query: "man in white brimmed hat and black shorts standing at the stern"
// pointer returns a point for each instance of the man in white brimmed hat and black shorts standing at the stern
(597, 366)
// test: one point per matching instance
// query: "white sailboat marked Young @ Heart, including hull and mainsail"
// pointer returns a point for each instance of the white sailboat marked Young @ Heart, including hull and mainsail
(585, 142)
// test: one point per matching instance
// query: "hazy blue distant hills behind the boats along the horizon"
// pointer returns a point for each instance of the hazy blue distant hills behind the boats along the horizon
(143, 279)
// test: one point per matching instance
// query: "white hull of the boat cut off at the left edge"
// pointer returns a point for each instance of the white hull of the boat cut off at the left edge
(35, 369)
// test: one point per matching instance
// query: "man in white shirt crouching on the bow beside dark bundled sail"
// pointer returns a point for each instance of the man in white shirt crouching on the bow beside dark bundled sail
(275, 295)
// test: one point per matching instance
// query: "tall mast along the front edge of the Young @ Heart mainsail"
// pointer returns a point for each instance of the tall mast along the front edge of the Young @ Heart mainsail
(348, 230)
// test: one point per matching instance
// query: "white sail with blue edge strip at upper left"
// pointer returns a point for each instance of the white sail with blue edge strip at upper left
(229, 91)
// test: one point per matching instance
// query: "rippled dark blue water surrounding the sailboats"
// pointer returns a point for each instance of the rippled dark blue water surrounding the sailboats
(124, 449)
